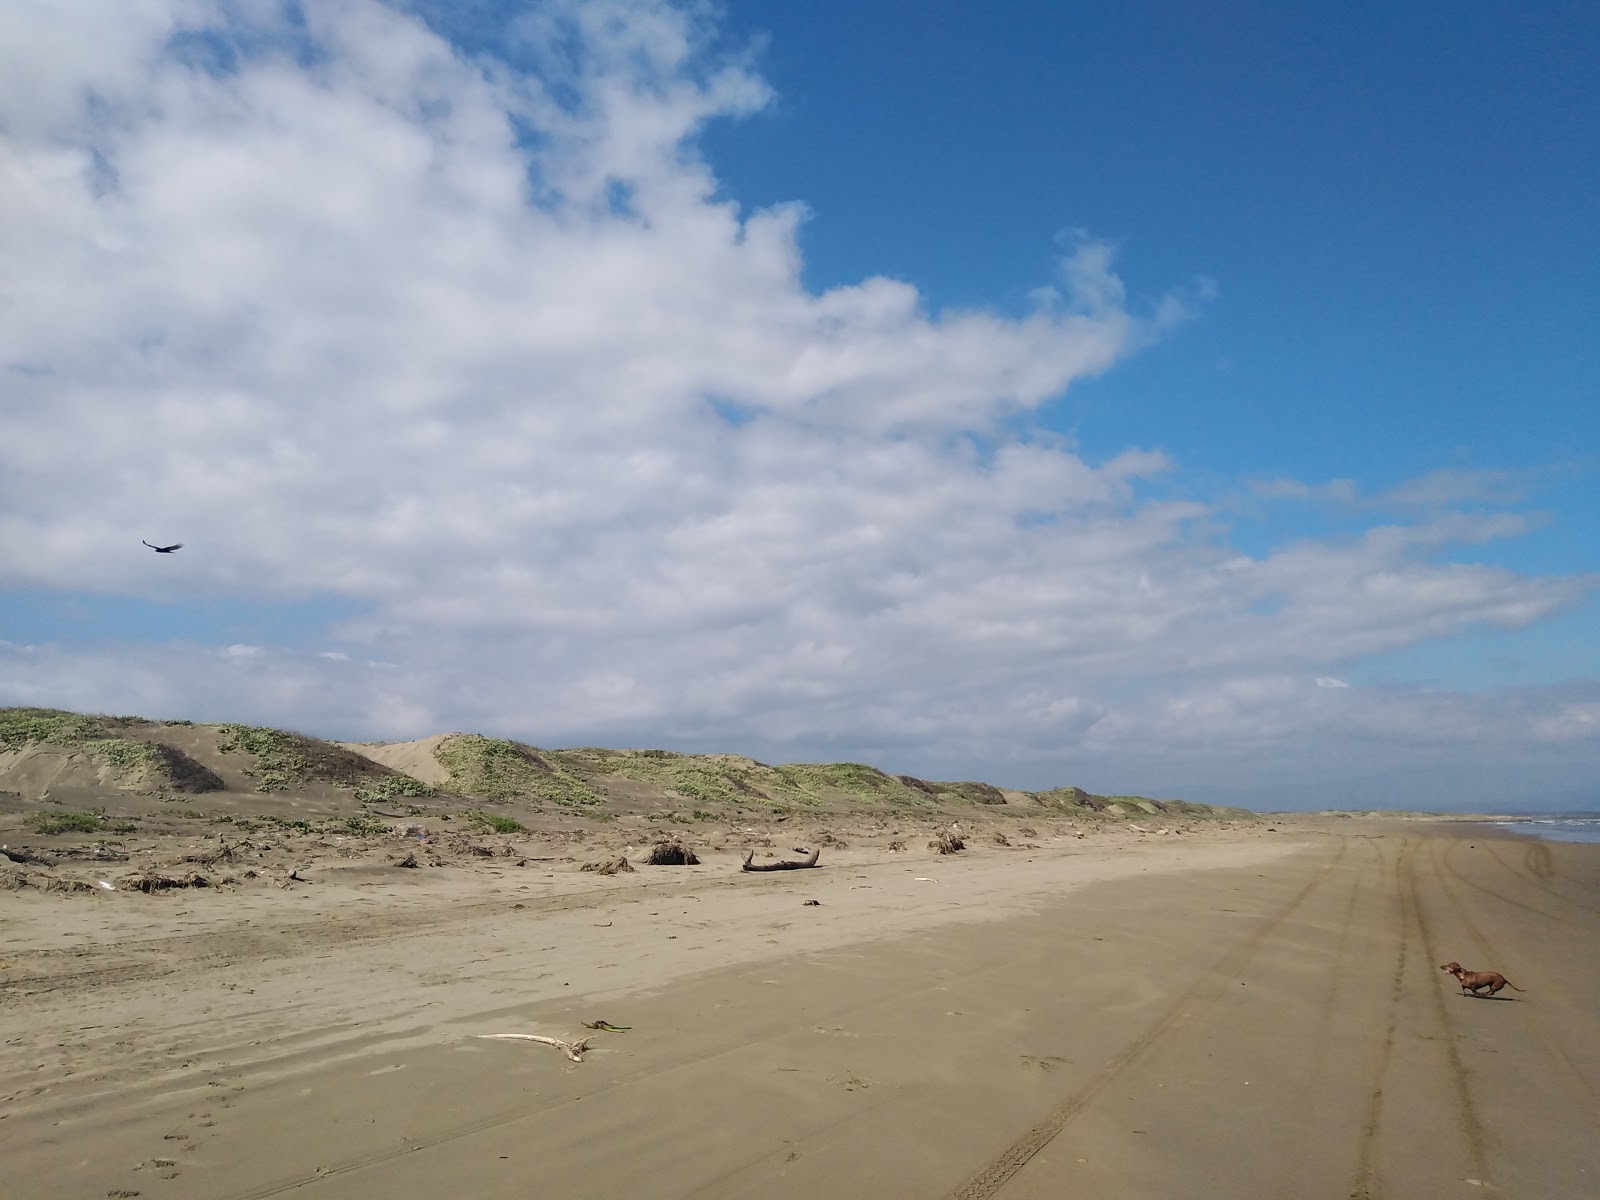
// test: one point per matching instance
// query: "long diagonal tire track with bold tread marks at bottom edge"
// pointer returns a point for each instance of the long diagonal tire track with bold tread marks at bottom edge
(1201, 996)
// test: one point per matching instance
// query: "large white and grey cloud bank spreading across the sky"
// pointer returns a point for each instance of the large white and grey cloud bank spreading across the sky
(478, 348)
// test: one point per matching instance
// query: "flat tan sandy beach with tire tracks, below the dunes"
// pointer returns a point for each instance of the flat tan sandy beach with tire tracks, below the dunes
(1226, 1015)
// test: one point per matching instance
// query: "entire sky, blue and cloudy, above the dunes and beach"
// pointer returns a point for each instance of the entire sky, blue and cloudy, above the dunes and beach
(1186, 399)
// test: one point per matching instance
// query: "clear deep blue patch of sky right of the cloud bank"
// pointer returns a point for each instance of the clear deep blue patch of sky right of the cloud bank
(1396, 202)
